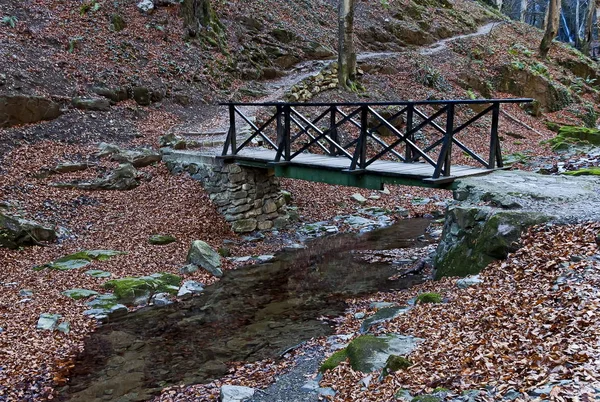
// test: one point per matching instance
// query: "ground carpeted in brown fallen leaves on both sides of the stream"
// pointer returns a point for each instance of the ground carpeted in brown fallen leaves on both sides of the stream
(516, 330)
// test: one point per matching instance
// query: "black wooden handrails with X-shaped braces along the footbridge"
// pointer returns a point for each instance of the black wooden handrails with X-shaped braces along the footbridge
(286, 115)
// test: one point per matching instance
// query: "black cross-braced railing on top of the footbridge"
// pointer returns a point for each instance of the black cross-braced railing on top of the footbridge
(350, 130)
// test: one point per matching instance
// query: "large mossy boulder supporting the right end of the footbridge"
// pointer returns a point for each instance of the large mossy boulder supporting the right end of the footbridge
(475, 236)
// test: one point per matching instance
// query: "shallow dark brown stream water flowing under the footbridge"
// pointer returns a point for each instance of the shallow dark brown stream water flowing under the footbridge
(252, 313)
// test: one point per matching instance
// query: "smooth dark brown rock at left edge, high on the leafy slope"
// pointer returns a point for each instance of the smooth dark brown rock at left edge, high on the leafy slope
(24, 109)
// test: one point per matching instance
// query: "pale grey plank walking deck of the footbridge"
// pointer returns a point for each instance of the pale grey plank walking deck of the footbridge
(385, 169)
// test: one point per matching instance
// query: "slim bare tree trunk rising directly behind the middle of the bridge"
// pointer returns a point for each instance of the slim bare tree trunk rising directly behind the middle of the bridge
(346, 52)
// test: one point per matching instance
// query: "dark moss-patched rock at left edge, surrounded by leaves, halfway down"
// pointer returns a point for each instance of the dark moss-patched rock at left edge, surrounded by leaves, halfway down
(16, 232)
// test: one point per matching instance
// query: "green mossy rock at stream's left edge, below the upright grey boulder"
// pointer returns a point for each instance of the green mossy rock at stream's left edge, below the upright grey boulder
(134, 290)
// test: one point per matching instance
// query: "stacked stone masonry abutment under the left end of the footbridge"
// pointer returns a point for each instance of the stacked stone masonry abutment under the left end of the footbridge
(249, 198)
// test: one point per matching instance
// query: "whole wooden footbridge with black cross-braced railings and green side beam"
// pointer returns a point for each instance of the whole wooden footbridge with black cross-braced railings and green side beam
(344, 143)
